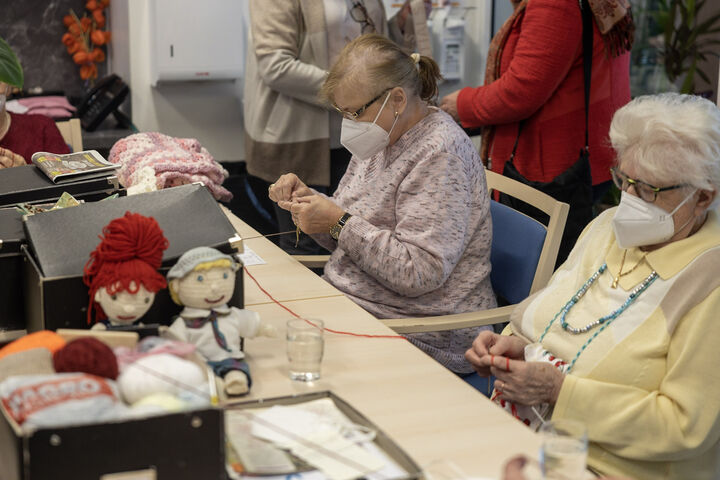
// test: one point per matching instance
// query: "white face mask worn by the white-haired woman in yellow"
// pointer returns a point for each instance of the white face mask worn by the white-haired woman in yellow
(638, 223)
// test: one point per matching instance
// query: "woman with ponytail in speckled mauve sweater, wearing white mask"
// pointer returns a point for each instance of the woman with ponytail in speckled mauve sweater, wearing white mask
(409, 226)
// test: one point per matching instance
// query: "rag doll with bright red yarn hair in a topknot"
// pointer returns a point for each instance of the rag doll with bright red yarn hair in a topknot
(122, 273)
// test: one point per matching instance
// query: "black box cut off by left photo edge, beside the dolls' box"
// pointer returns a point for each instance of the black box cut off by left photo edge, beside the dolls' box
(12, 237)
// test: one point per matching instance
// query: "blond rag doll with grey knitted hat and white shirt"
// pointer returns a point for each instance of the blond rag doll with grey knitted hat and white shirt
(203, 281)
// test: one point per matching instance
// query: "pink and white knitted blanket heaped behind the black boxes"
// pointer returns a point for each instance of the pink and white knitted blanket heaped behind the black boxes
(176, 161)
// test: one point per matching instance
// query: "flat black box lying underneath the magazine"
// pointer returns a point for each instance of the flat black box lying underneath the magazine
(28, 184)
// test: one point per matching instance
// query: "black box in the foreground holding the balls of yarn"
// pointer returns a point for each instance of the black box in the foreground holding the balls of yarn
(188, 445)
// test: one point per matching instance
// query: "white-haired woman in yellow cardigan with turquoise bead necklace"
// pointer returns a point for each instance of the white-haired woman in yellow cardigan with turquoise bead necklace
(623, 338)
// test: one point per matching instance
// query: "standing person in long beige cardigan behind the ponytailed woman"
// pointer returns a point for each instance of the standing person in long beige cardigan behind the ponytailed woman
(287, 127)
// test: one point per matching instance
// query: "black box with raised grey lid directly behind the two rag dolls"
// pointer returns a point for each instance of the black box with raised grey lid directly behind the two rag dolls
(60, 242)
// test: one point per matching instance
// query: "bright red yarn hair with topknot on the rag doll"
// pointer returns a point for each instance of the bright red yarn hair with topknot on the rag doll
(131, 251)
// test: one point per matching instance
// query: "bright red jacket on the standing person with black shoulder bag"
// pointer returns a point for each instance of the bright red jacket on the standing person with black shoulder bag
(541, 80)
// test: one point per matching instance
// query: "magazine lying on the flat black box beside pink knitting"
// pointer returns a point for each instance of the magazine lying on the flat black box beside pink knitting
(73, 167)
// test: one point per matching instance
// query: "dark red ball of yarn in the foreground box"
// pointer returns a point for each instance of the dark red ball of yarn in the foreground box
(87, 355)
